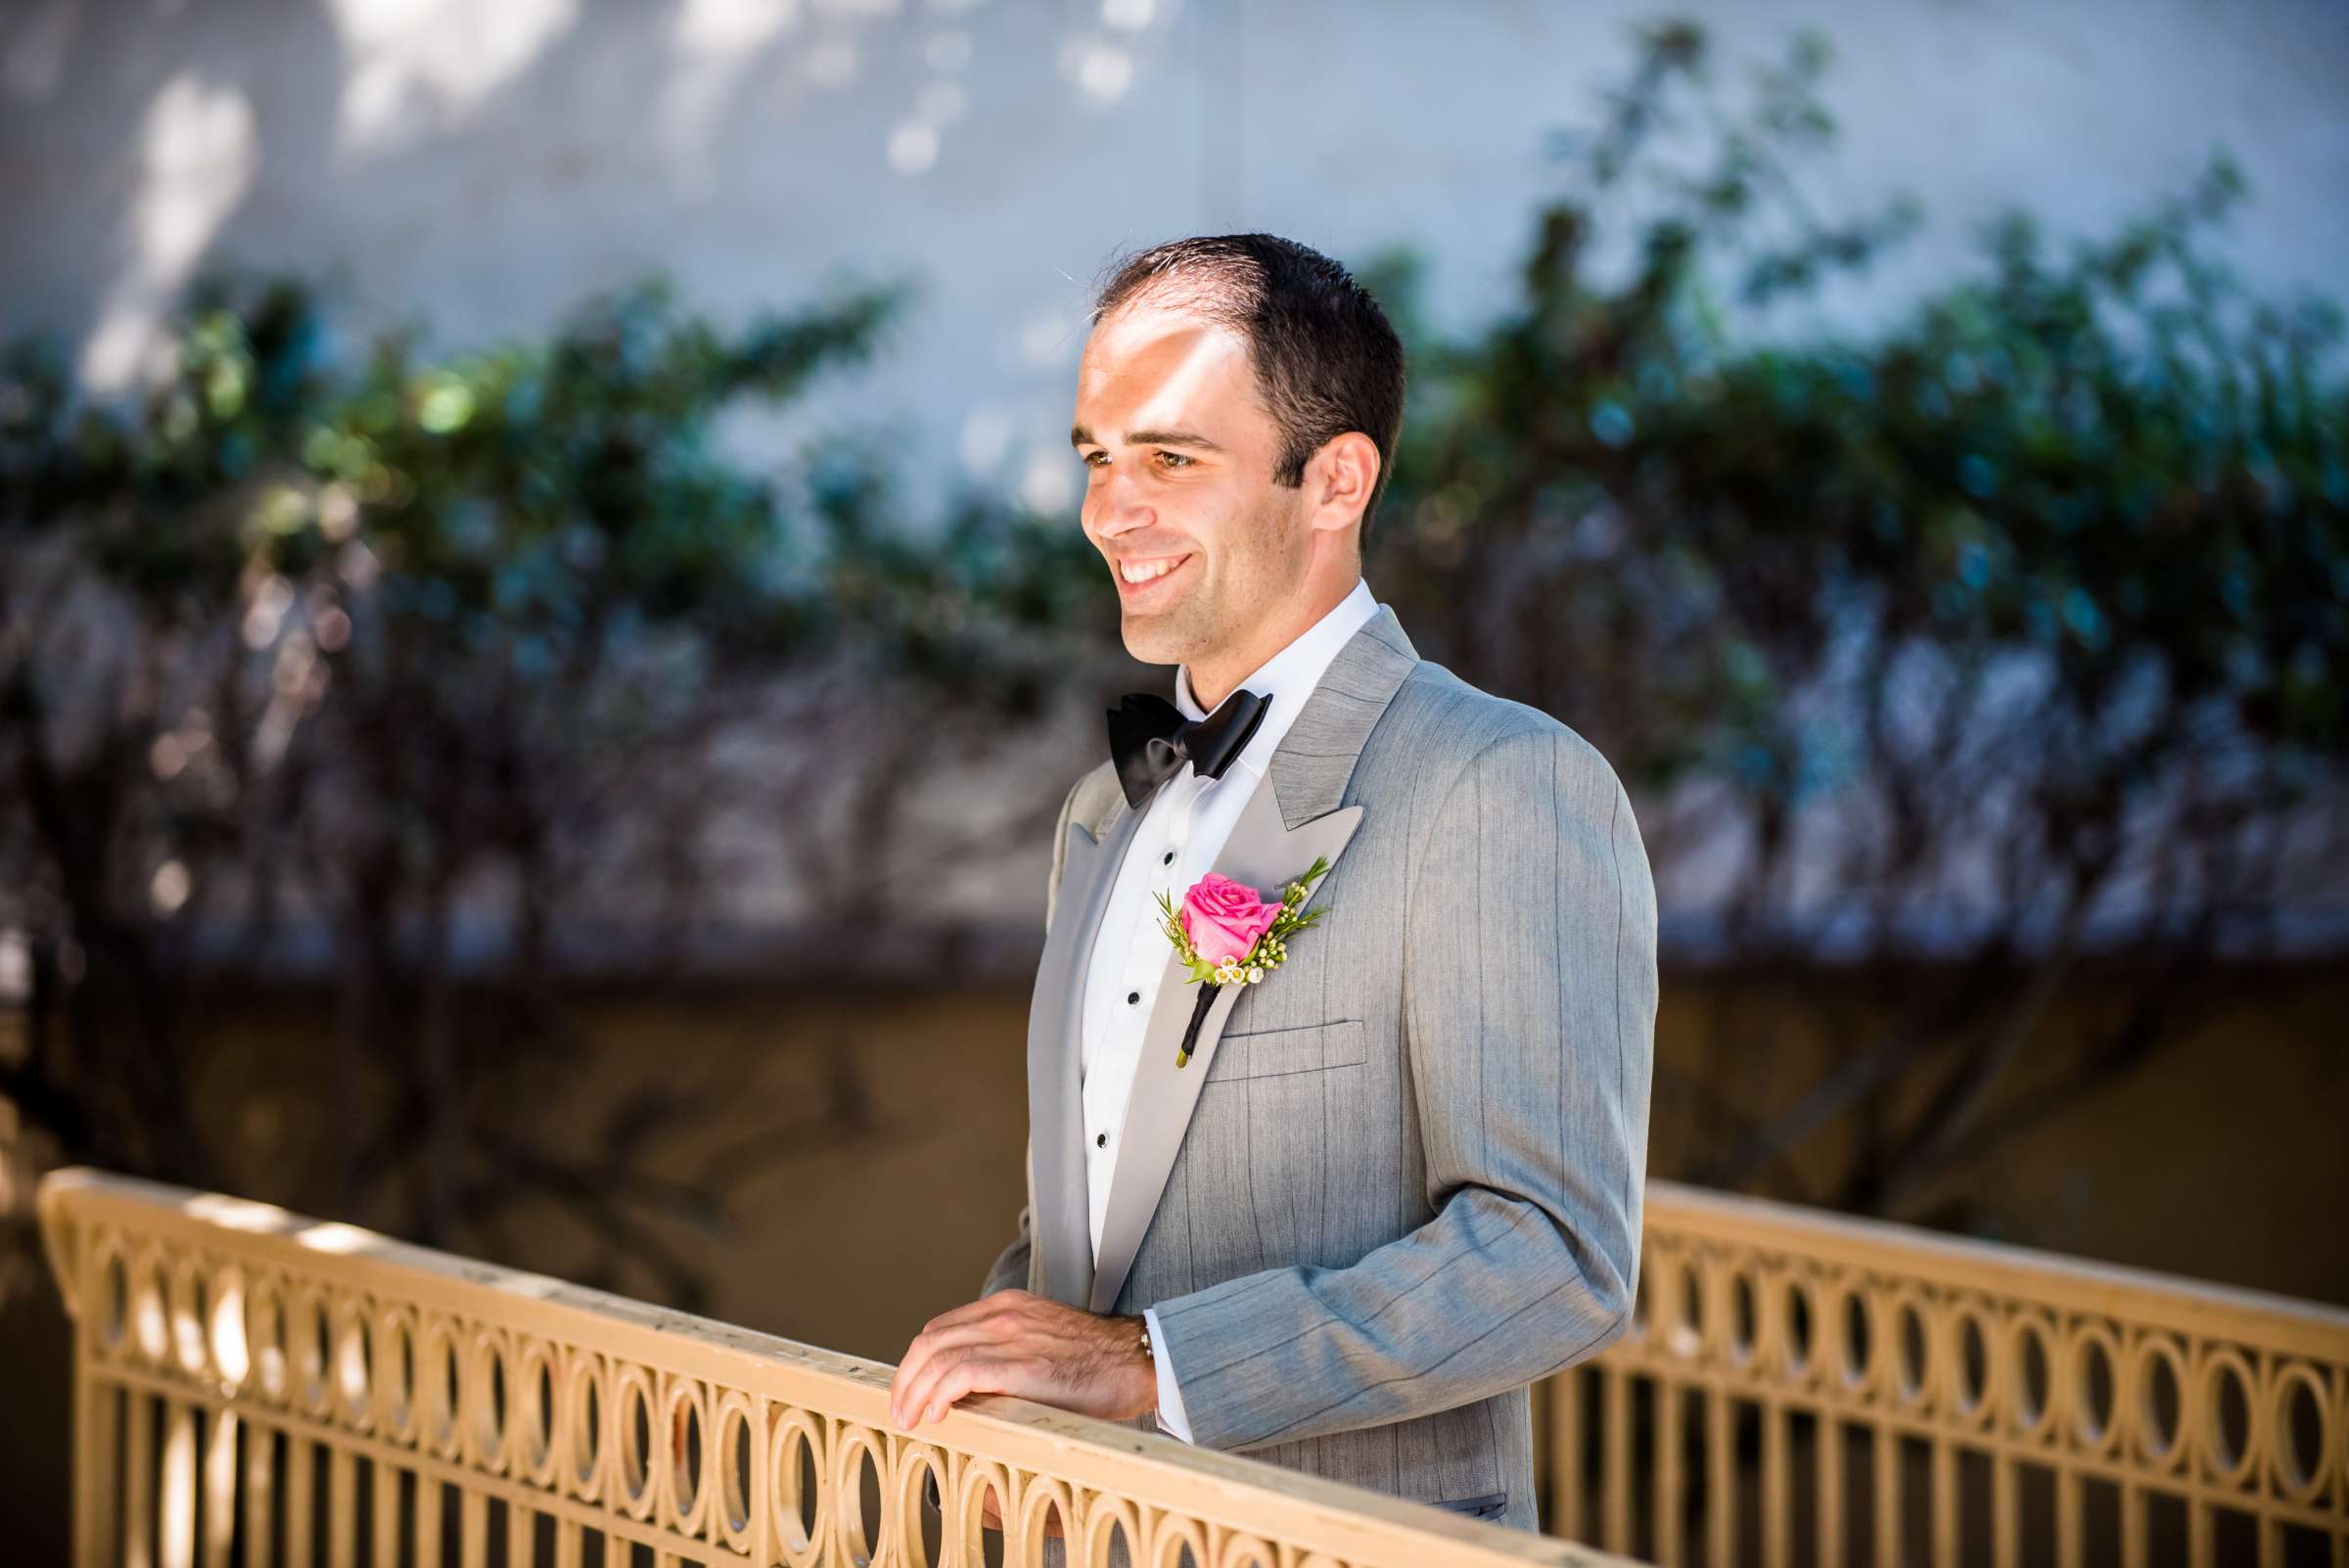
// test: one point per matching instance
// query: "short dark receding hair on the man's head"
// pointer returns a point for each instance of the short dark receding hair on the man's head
(1326, 356)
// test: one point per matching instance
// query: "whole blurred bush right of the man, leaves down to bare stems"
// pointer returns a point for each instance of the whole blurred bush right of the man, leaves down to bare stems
(2000, 635)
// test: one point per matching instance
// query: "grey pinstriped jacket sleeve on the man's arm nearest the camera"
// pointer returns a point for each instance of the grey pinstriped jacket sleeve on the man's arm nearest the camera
(1530, 1011)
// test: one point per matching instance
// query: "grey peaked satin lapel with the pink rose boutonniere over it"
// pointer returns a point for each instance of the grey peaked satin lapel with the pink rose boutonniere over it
(1288, 820)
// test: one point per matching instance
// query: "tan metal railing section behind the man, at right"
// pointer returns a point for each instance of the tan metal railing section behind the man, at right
(1805, 1388)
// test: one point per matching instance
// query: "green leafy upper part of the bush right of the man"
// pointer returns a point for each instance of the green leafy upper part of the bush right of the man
(1636, 503)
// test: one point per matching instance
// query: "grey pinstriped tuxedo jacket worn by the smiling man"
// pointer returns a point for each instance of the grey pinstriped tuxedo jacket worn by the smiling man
(1401, 1177)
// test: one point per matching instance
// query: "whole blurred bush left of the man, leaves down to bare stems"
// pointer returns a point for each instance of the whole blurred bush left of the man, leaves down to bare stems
(410, 665)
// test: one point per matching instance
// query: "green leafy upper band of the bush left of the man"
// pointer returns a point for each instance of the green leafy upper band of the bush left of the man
(534, 506)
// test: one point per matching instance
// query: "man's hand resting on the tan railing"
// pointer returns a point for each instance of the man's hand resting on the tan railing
(1028, 1346)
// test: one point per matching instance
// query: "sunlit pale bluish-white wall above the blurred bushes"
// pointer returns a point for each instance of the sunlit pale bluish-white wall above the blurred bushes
(487, 165)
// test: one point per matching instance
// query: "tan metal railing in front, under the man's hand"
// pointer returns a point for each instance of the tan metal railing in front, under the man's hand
(260, 1388)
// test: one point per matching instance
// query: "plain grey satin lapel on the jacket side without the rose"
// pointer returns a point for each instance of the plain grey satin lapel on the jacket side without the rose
(1063, 1231)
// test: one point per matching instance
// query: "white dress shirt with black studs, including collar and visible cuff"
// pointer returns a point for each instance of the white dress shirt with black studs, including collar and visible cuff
(1176, 844)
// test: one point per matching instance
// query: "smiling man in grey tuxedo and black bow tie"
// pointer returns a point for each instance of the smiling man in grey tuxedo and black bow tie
(1399, 1177)
